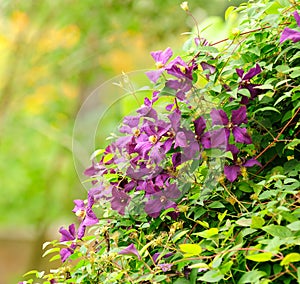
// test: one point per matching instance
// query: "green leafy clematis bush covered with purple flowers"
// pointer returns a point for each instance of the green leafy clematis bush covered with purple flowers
(201, 183)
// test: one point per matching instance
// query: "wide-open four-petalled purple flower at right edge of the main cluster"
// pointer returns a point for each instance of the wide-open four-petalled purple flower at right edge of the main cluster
(239, 116)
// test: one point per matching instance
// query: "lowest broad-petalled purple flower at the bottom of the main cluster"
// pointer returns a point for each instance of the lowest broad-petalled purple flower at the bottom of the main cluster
(162, 200)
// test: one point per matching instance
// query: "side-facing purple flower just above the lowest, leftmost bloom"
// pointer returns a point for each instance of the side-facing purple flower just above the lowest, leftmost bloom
(85, 213)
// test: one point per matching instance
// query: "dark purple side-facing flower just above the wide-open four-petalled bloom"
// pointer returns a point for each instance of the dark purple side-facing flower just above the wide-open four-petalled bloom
(245, 83)
